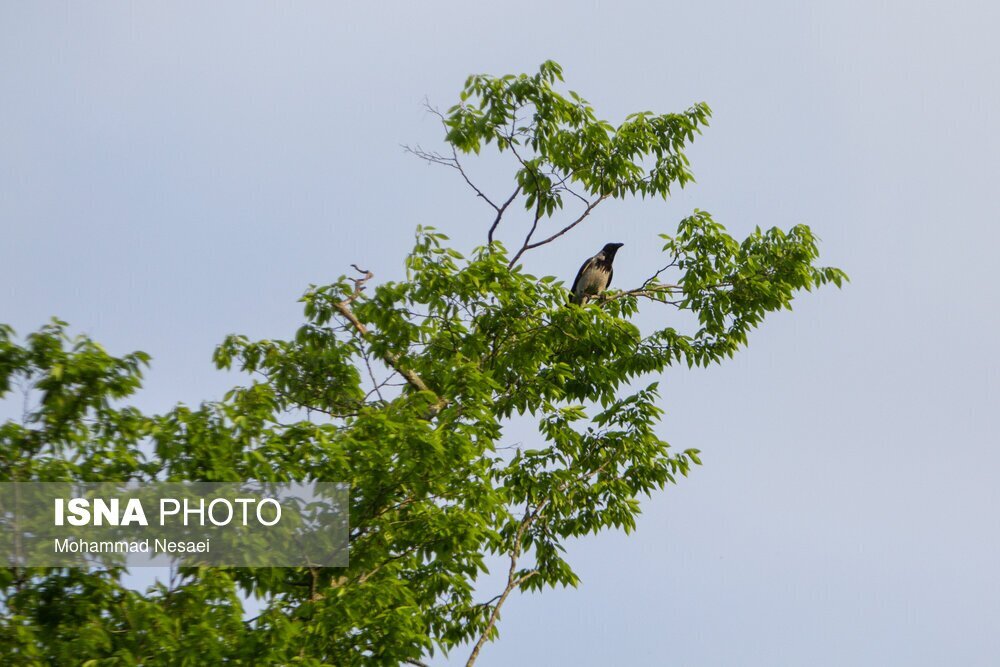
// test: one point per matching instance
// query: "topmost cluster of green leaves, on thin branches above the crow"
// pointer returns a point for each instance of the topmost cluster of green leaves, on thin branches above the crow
(567, 142)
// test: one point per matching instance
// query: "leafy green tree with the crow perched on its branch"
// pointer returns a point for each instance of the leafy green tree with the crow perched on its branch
(404, 389)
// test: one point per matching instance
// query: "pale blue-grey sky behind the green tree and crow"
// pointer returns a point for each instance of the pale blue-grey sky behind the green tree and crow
(174, 172)
